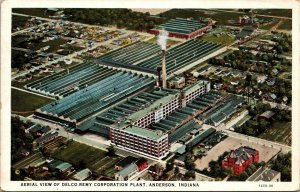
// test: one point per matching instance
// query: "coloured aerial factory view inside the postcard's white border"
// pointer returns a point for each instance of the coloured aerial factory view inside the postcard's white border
(151, 94)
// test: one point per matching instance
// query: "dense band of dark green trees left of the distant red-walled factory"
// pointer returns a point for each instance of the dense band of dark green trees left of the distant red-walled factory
(122, 18)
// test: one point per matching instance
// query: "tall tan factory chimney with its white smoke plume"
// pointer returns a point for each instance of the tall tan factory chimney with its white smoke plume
(162, 41)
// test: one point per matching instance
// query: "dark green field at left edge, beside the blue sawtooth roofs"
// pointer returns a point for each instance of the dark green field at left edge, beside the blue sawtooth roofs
(25, 103)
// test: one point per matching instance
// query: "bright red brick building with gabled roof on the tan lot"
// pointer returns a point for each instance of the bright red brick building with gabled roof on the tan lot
(240, 158)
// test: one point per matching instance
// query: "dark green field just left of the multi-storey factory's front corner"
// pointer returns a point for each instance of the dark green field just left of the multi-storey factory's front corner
(93, 158)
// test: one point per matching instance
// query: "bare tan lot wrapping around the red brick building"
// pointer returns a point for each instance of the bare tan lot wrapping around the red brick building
(230, 143)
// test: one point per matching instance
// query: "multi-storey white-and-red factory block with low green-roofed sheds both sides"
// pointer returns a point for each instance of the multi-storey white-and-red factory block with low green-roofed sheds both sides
(149, 121)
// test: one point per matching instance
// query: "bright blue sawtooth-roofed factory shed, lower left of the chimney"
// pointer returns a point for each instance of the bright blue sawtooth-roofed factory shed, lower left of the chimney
(94, 98)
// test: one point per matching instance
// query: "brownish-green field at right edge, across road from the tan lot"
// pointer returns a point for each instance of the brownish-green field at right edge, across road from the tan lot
(280, 132)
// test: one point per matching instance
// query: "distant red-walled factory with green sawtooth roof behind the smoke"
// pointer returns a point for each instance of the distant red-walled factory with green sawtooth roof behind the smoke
(183, 28)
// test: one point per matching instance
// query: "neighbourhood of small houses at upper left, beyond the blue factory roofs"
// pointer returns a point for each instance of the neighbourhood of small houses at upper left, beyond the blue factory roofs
(69, 37)
